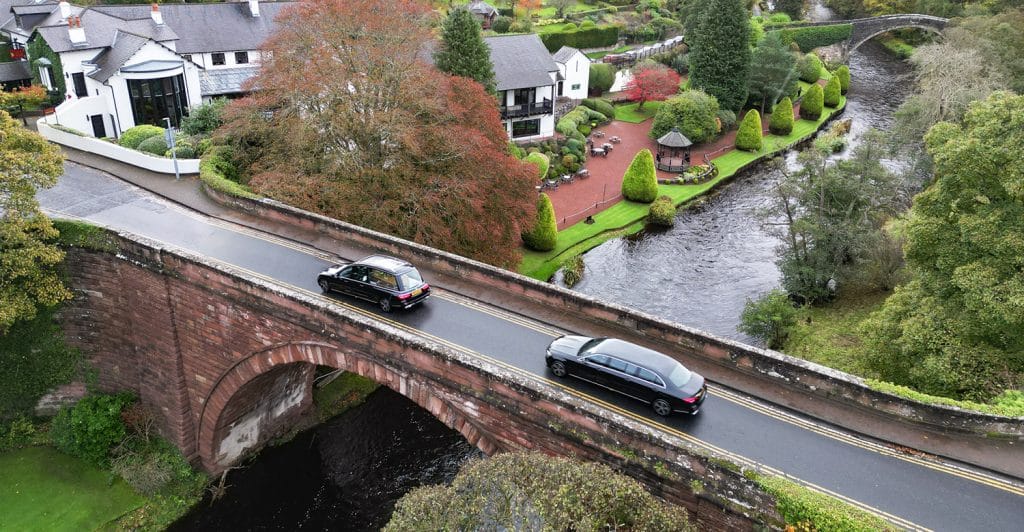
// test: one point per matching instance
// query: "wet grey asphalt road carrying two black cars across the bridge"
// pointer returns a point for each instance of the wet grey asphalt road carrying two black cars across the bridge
(913, 493)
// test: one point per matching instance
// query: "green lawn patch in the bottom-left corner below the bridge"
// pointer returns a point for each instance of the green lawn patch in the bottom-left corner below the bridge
(44, 490)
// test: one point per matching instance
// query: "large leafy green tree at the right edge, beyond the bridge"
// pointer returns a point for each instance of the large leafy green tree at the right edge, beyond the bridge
(958, 328)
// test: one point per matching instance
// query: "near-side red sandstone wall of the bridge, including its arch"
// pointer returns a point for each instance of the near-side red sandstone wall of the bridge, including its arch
(202, 345)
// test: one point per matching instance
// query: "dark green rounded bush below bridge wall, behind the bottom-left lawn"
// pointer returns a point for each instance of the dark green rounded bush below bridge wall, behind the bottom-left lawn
(91, 429)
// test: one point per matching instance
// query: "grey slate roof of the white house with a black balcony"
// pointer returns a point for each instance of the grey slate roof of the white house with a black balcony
(521, 62)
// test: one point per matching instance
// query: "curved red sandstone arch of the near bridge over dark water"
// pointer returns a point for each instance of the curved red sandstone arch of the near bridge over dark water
(224, 437)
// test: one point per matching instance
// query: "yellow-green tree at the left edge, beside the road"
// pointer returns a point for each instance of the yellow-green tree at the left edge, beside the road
(28, 257)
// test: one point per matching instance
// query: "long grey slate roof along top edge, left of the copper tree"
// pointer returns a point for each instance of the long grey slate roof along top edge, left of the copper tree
(209, 28)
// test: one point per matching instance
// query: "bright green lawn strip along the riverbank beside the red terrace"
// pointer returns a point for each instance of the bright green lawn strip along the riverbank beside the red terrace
(628, 217)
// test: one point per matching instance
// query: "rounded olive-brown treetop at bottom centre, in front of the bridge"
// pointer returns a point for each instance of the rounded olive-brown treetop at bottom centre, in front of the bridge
(533, 492)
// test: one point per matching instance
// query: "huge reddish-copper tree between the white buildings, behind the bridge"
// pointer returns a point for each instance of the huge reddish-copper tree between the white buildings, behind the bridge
(365, 131)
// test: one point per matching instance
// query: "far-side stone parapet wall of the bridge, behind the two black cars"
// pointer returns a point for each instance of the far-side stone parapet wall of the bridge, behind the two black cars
(804, 386)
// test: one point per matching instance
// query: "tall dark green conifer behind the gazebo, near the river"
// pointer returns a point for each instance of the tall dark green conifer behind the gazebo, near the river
(720, 59)
